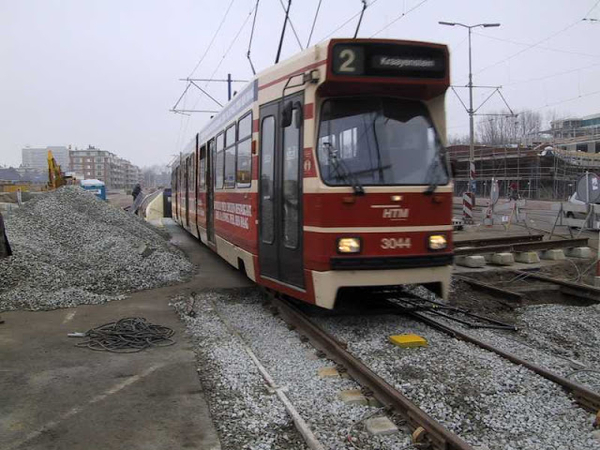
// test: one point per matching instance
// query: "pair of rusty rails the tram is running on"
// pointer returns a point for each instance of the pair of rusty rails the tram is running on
(423, 425)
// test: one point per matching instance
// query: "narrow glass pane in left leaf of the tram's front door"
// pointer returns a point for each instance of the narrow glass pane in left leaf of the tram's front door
(267, 151)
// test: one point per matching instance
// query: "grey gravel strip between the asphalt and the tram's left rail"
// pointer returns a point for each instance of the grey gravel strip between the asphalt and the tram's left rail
(291, 362)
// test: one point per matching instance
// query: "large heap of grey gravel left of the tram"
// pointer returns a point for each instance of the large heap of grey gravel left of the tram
(71, 248)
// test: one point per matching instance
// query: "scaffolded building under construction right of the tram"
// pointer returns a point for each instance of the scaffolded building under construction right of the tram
(538, 172)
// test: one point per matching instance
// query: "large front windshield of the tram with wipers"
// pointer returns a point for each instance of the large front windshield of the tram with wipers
(379, 141)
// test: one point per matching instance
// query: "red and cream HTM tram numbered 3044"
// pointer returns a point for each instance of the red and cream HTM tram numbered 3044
(328, 172)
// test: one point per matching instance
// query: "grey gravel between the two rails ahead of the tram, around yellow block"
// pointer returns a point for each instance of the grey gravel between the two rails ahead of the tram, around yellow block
(486, 400)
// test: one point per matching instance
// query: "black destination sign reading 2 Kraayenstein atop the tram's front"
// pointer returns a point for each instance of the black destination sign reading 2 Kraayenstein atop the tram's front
(388, 60)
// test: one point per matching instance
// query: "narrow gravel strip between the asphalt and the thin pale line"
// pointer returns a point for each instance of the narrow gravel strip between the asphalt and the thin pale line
(245, 414)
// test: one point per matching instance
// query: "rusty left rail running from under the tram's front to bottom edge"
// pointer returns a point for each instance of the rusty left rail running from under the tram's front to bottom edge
(439, 437)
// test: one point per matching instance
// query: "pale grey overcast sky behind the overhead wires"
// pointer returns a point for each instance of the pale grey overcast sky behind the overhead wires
(105, 72)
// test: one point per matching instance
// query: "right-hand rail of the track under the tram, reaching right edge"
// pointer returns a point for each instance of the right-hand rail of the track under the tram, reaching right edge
(587, 398)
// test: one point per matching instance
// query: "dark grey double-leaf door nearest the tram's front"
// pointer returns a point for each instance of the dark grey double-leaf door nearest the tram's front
(280, 194)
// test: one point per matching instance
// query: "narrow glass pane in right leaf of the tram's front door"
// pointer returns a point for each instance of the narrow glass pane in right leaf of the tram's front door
(291, 152)
